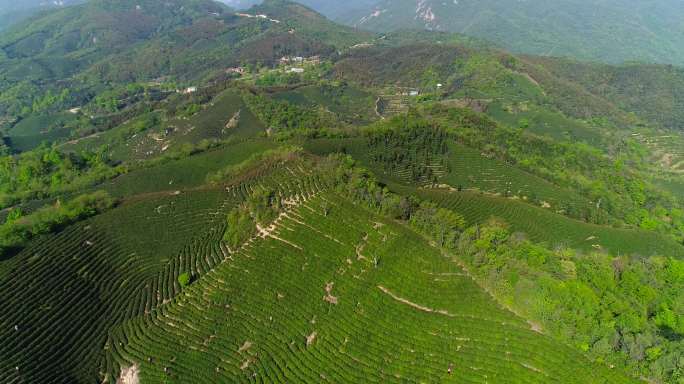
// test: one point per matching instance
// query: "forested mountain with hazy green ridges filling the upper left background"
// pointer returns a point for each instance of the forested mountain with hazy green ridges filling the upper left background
(71, 54)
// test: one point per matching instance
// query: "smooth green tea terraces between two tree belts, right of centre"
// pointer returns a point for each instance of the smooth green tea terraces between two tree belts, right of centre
(499, 192)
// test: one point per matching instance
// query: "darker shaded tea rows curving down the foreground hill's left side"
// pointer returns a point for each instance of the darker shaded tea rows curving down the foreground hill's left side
(64, 293)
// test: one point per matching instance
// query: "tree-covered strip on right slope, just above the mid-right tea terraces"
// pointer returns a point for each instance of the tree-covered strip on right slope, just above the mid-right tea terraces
(615, 184)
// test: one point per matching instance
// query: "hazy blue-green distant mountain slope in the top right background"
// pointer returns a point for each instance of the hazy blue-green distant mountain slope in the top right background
(609, 30)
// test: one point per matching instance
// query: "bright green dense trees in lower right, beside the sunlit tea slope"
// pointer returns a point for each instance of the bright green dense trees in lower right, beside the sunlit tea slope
(620, 311)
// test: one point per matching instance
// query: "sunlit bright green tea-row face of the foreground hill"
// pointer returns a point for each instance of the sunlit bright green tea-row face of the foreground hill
(331, 293)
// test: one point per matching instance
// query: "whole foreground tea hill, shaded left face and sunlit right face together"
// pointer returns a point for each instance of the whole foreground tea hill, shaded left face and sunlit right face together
(324, 290)
